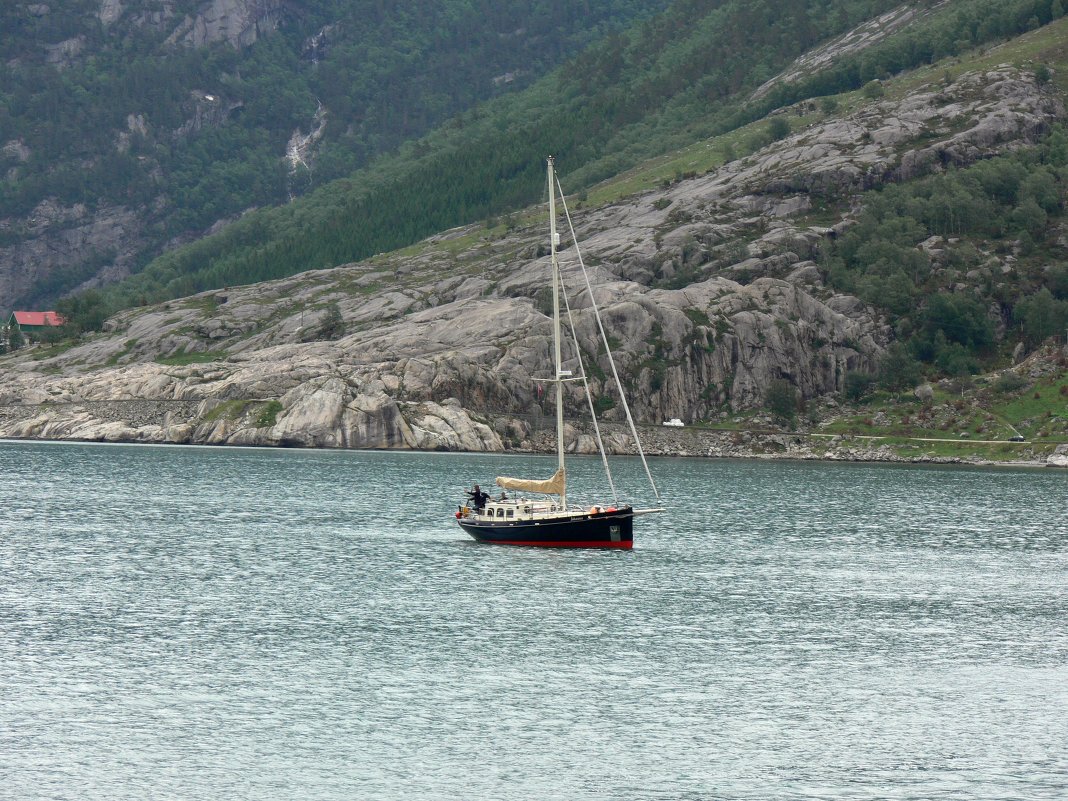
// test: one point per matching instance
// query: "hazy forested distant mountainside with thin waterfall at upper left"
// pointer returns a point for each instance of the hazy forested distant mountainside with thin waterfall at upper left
(115, 114)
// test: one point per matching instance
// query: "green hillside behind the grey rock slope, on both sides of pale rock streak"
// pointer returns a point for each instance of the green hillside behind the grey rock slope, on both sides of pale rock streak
(682, 76)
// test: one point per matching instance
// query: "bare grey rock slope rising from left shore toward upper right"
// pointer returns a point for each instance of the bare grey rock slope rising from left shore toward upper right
(443, 349)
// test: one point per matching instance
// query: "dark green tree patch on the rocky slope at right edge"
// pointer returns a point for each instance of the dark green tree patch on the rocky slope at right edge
(1007, 207)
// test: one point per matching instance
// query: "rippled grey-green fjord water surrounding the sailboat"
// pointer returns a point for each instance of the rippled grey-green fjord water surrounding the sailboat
(189, 623)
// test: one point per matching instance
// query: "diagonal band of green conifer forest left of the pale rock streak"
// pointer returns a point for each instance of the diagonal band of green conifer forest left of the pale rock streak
(485, 162)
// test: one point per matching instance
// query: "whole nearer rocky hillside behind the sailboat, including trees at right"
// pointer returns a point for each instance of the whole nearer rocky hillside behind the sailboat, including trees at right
(718, 282)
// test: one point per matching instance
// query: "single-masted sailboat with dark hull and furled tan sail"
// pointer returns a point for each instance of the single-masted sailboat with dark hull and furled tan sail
(539, 513)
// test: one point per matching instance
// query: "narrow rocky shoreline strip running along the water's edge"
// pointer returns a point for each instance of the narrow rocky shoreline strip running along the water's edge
(144, 421)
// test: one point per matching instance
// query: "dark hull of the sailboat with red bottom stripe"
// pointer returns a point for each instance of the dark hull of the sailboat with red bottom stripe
(580, 530)
